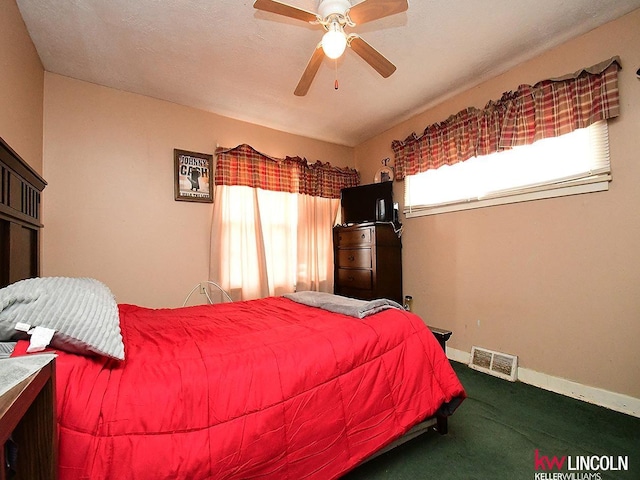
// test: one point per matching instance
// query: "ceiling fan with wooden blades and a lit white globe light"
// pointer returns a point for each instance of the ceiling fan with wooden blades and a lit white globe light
(334, 15)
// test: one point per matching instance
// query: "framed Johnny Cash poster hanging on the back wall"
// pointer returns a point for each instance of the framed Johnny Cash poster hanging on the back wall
(193, 176)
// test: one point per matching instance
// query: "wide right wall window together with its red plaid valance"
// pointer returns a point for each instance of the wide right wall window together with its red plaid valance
(538, 141)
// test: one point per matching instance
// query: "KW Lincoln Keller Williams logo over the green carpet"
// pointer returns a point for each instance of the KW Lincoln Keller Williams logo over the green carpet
(577, 467)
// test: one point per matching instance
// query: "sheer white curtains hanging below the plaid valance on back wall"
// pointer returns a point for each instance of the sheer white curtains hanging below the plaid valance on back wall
(266, 243)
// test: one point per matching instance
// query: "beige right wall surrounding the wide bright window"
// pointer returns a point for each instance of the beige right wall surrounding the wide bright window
(556, 282)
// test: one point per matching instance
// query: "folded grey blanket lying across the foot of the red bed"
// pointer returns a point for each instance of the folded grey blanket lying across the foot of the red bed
(345, 305)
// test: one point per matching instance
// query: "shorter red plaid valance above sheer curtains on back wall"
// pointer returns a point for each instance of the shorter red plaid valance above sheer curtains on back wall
(243, 165)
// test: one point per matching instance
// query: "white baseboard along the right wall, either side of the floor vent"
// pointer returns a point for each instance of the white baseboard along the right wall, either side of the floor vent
(597, 396)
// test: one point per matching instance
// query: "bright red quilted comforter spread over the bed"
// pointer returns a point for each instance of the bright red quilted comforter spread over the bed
(261, 389)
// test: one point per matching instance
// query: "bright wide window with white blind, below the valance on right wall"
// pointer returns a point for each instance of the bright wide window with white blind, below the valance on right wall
(577, 162)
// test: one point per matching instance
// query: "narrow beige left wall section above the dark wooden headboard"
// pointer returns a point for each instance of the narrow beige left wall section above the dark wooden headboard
(21, 87)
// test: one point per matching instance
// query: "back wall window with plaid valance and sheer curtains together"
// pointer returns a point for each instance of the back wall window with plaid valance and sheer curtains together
(272, 223)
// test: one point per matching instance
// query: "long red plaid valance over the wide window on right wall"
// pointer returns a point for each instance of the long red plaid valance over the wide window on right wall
(547, 109)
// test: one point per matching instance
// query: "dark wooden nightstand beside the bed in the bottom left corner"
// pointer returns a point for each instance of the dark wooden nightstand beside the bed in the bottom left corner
(27, 415)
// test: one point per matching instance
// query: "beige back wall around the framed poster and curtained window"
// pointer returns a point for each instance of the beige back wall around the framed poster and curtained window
(109, 206)
